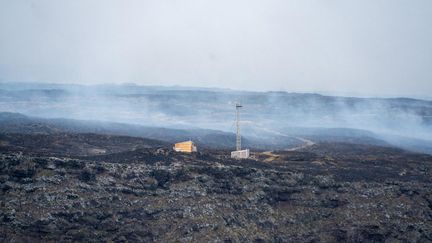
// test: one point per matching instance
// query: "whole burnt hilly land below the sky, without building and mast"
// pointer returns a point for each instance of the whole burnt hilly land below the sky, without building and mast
(323, 168)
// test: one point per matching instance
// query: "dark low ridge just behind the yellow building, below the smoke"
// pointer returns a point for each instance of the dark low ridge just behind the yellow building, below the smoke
(20, 124)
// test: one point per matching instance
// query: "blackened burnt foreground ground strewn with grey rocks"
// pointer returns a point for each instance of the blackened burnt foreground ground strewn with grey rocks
(328, 192)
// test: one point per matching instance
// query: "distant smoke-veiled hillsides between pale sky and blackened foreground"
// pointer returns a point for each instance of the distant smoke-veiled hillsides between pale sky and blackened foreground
(270, 120)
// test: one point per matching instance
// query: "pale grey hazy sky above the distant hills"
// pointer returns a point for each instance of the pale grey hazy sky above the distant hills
(364, 46)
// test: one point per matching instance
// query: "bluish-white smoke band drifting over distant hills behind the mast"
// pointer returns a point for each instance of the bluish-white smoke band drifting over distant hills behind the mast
(264, 113)
